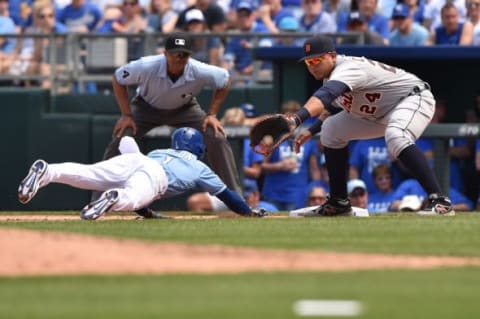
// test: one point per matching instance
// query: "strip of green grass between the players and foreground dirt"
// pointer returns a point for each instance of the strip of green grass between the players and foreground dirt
(396, 234)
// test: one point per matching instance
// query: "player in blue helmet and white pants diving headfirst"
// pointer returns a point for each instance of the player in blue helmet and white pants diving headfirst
(132, 180)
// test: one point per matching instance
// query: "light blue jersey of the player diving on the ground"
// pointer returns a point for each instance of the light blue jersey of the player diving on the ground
(185, 172)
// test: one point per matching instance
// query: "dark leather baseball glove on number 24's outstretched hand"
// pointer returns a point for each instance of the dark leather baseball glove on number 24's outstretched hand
(269, 133)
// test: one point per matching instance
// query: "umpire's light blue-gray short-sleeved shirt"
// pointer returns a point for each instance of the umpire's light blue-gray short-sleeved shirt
(155, 87)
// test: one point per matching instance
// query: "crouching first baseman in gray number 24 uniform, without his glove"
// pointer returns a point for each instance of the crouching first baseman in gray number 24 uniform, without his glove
(362, 99)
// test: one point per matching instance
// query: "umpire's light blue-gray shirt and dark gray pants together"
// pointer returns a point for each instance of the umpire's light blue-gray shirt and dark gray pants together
(160, 101)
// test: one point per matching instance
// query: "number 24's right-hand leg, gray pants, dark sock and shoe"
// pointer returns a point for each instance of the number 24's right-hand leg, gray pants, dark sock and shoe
(405, 125)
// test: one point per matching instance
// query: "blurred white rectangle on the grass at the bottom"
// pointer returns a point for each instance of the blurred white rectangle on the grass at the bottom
(317, 308)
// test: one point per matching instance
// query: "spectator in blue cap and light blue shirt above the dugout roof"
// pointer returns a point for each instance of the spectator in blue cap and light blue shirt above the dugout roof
(406, 32)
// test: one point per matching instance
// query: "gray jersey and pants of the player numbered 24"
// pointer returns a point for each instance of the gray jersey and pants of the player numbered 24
(384, 101)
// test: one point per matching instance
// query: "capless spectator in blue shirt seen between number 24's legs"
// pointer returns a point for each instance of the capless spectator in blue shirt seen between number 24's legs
(380, 201)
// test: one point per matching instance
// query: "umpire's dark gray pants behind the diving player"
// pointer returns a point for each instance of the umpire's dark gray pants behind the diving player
(219, 151)
